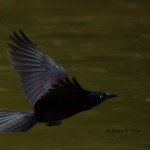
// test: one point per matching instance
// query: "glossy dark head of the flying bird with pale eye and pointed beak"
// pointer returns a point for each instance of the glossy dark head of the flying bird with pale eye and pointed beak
(97, 97)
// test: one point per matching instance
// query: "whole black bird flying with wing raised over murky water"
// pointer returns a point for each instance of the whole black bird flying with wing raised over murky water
(46, 84)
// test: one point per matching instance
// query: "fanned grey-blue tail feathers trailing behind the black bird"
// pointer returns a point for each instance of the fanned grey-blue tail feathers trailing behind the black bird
(16, 121)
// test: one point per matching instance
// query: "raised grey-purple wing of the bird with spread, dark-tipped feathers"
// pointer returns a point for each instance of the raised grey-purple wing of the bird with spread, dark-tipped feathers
(37, 71)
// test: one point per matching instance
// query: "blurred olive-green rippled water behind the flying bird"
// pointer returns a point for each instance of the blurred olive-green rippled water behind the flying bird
(106, 45)
